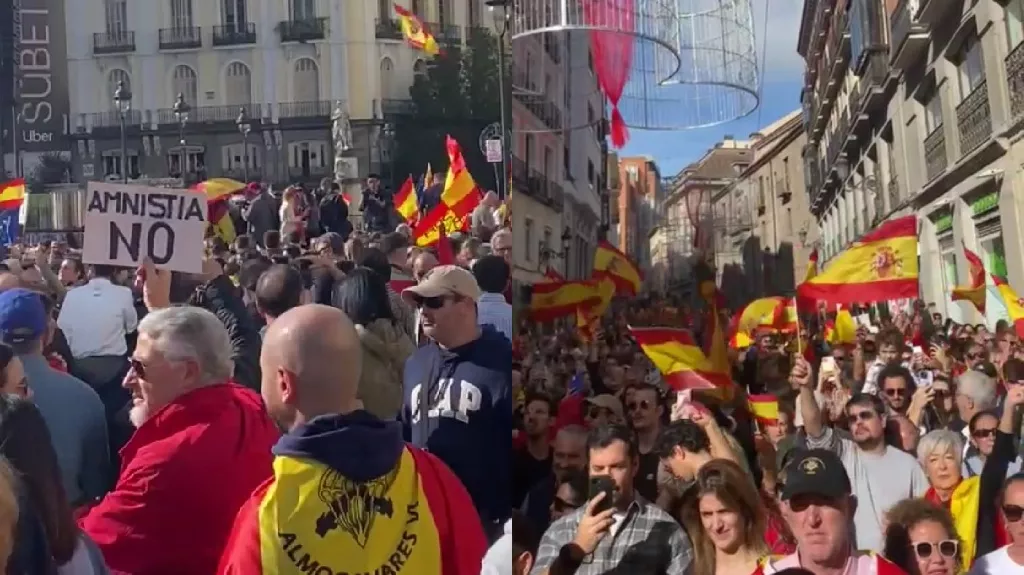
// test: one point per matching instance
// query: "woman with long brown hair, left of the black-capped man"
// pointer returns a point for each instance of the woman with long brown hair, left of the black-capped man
(724, 517)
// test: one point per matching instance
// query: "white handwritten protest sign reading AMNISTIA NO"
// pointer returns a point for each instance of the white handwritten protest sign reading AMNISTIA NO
(126, 224)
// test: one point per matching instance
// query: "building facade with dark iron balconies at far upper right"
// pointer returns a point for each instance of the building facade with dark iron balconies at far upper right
(917, 107)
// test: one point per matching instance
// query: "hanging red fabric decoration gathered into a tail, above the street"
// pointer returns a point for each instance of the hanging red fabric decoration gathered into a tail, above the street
(613, 54)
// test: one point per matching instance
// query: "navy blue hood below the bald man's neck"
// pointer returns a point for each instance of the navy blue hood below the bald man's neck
(358, 446)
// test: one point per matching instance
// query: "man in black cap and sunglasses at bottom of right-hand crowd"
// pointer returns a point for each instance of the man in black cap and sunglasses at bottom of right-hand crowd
(819, 506)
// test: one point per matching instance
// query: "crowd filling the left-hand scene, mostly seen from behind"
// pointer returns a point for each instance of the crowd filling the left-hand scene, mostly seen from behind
(326, 397)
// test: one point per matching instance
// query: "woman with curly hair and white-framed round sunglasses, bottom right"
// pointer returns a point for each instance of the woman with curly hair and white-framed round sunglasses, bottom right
(921, 540)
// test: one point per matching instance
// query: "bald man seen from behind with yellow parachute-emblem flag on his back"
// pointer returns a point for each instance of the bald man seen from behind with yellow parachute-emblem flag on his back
(348, 494)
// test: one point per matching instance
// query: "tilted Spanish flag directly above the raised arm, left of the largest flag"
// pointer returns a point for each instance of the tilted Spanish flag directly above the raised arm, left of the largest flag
(680, 360)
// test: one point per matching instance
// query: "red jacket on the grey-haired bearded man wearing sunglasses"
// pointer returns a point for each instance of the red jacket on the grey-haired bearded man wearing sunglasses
(185, 474)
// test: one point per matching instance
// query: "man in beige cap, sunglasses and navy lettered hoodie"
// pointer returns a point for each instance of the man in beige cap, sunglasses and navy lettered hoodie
(461, 381)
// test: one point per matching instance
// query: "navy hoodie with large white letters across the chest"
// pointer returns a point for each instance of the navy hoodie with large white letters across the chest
(470, 419)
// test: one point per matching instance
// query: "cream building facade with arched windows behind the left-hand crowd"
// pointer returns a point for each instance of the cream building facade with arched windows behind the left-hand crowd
(289, 65)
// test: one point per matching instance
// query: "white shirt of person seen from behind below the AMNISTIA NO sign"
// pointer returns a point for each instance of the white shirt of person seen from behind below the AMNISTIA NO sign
(96, 319)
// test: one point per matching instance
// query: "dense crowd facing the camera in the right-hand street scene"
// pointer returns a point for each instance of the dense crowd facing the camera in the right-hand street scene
(898, 453)
